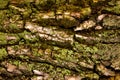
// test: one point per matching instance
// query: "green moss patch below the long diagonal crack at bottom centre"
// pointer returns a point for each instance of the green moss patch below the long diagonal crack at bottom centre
(54, 72)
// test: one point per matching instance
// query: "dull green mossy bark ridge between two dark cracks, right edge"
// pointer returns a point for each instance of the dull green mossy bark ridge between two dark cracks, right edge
(107, 36)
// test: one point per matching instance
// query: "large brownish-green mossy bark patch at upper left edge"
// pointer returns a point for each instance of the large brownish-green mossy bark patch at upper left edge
(10, 22)
